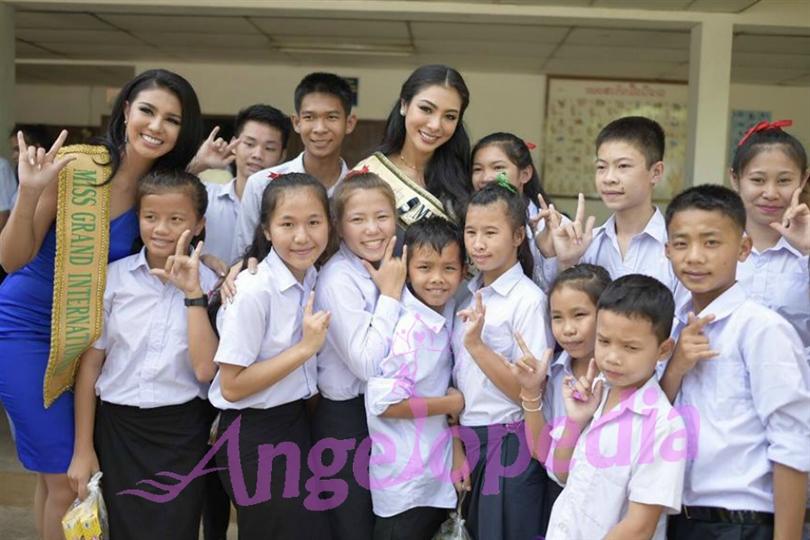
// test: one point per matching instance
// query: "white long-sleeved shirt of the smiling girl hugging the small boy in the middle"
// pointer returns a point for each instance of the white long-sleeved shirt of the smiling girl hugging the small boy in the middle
(360, 330)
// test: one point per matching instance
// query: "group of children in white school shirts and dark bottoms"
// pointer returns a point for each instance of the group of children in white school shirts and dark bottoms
(655, 365)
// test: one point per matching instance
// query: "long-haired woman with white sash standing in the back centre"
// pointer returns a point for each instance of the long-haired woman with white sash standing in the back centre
(425, 152)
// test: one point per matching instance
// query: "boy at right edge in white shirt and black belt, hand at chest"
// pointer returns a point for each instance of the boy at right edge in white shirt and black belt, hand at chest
(742, 367)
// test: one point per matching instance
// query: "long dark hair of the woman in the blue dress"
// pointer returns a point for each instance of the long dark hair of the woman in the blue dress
(191, 130)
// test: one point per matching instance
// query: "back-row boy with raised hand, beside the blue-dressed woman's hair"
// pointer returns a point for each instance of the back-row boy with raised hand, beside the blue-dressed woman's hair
(260, 140)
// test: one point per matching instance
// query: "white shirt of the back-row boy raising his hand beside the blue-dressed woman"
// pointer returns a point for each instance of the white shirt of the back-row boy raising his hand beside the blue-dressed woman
(220, 220)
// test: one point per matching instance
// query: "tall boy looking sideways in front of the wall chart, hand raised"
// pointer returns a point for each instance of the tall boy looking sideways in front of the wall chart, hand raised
(629, 164)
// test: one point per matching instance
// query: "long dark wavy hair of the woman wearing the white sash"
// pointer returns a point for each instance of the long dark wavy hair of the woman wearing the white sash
(447, 175)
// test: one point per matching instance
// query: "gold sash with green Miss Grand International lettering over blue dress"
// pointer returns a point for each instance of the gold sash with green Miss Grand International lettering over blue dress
(80, 265)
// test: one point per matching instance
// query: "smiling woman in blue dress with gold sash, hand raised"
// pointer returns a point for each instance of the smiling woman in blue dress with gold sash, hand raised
(56, 246)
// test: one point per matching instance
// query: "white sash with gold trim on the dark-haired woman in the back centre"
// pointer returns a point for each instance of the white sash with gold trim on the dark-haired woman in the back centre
(413, 201)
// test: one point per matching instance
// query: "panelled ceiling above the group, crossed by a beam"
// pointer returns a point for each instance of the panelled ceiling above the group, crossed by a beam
(120, 39)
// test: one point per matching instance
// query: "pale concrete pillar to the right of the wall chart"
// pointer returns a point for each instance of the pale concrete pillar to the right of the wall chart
(709, 109)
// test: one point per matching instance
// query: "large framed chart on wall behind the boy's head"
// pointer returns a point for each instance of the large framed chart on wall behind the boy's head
(577, 109)
